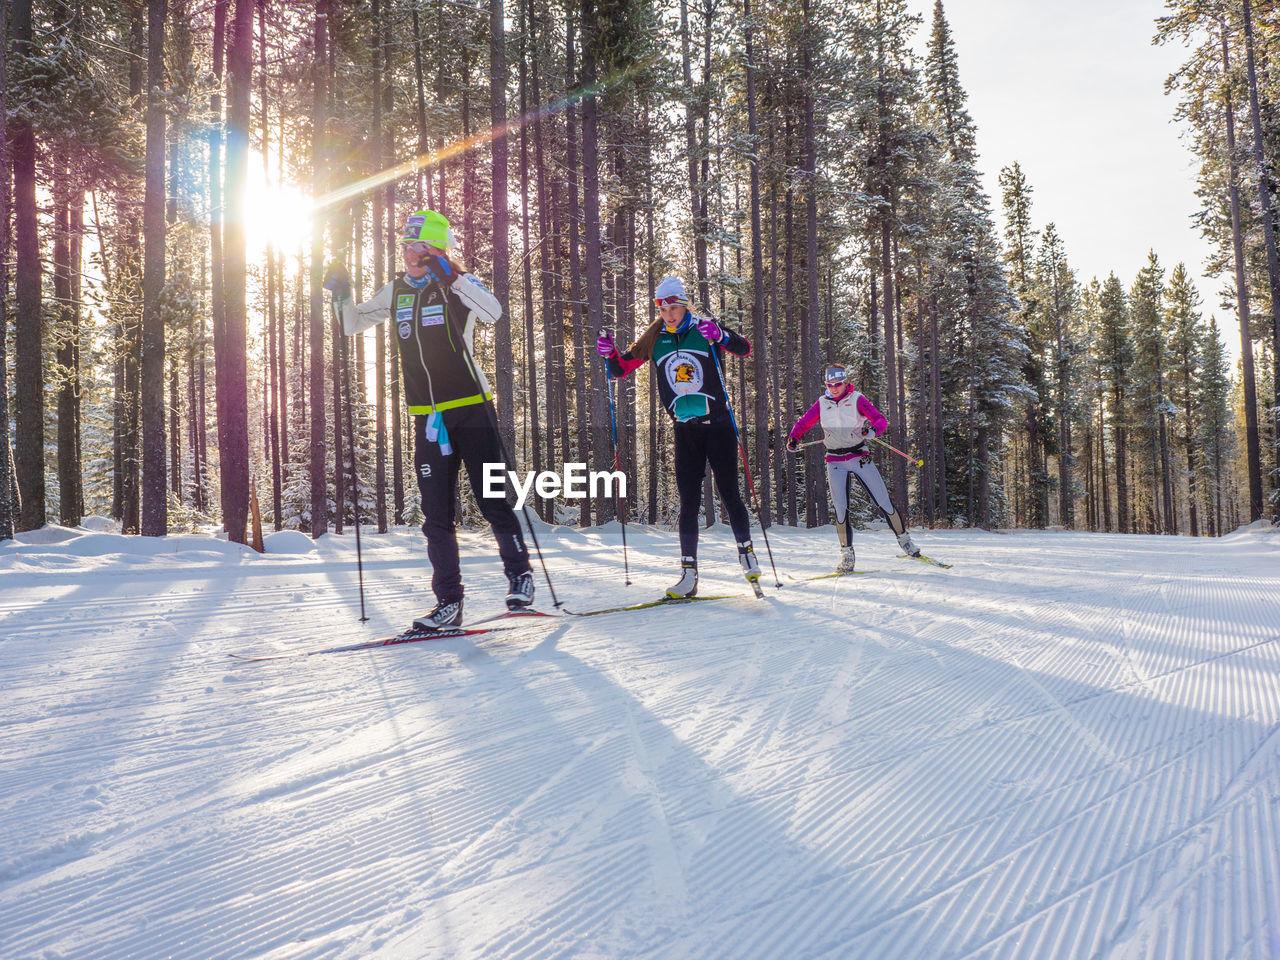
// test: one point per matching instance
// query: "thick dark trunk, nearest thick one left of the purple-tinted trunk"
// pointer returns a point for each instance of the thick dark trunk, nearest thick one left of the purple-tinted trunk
(156, 488)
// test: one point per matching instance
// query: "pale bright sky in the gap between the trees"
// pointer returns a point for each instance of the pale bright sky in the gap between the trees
(1075, 93)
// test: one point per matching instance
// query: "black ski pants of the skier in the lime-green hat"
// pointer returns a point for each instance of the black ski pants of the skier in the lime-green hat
(473, 441)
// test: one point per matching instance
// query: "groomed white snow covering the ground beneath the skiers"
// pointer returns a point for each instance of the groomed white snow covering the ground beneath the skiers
(1066, 747)
